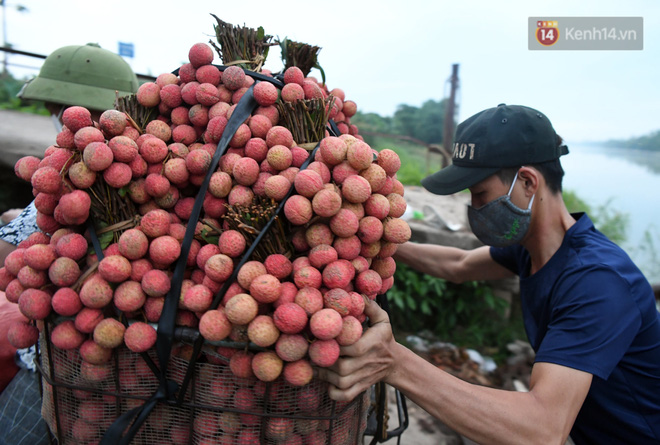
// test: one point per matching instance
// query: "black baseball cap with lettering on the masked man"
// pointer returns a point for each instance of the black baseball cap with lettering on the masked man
(493, 139)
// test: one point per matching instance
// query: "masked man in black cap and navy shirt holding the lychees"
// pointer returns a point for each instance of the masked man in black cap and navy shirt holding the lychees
(589, 312)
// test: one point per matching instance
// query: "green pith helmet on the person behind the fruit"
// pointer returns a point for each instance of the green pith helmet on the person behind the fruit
(87, 76)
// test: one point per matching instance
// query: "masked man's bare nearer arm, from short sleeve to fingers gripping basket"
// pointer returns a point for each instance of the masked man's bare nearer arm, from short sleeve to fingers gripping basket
(543, 415)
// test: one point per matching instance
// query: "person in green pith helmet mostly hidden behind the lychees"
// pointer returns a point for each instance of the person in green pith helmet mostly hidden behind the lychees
(76, 75)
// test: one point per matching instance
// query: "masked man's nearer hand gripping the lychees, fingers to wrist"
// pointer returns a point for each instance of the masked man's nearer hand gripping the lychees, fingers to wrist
(365, 362)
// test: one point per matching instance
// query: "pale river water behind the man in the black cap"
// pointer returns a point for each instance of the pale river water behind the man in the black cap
(627, 181)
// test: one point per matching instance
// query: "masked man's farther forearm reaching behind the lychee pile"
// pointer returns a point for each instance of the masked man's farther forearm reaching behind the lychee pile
(451, 263)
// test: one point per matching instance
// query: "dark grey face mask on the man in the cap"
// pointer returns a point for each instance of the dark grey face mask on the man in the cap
(500, 223)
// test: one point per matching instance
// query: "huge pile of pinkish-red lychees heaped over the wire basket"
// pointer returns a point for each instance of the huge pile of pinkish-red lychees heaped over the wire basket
(295, 308)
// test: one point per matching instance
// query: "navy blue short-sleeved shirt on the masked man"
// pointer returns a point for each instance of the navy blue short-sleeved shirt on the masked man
(590, 308)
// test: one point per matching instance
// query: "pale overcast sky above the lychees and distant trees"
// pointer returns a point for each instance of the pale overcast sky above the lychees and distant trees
(390, 52)
